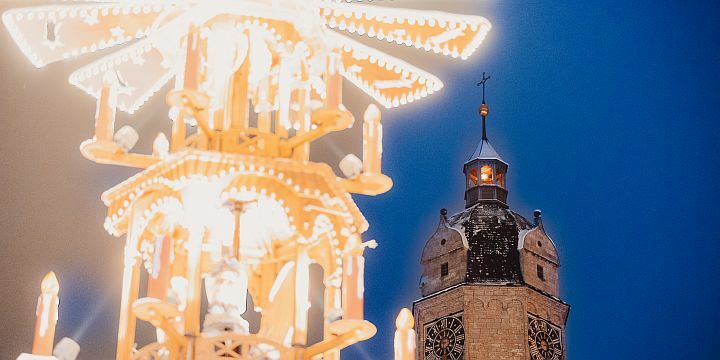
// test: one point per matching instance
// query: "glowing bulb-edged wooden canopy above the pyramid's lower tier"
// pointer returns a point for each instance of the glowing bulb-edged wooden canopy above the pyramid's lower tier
(302, 186)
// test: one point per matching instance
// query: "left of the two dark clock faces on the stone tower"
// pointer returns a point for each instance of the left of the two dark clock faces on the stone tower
(445, 338)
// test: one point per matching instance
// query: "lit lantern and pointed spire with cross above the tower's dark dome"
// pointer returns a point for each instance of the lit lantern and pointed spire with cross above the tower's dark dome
(485, 172)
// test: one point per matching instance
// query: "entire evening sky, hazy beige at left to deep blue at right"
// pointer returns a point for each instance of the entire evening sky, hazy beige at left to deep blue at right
(606, 112)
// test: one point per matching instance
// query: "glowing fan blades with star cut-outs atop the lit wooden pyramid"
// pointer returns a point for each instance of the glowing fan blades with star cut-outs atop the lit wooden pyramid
(52, 33)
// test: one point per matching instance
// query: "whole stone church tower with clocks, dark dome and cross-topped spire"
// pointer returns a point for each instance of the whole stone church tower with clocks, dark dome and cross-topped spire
(490, 277)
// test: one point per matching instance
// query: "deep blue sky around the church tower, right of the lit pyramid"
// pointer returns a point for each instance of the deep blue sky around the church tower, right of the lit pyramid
(607, 113)
